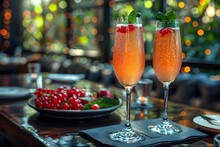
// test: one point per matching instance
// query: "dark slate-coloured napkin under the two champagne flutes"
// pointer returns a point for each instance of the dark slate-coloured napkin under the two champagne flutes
(100, 135)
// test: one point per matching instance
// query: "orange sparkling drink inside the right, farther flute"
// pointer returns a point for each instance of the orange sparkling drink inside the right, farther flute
(167, 55)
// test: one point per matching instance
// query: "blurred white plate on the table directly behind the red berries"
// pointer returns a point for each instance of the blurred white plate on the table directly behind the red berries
(66, 77)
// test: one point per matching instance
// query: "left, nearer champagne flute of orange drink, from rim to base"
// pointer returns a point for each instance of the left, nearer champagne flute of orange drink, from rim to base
(128, 62)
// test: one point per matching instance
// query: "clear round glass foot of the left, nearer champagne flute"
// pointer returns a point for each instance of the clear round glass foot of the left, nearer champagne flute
(127, 135)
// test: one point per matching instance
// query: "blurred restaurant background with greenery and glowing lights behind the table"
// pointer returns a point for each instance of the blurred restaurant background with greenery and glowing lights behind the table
(76, 36)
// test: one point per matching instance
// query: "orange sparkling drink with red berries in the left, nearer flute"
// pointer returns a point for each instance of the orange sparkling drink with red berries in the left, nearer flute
(128, 54)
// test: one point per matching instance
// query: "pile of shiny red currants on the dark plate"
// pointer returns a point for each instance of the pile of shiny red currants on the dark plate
(63, 98)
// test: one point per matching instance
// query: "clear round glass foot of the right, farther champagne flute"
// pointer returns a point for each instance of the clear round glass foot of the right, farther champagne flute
(165, 128)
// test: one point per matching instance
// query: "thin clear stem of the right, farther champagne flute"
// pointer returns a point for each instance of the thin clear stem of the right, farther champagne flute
(166, 92)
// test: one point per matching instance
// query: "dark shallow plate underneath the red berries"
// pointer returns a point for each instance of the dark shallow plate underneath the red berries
(73, 114)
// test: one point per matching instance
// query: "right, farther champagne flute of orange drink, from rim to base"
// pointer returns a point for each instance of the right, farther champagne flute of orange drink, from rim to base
(167, 60)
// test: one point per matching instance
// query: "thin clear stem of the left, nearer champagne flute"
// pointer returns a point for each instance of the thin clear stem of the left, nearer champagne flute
(128, 105)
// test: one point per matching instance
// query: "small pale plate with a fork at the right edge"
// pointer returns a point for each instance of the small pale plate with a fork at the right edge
(205, 125)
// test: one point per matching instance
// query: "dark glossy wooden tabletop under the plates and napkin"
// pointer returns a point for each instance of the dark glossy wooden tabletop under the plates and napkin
(45, 131)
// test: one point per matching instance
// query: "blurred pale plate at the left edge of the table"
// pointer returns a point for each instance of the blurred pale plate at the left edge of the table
(12, 92)
